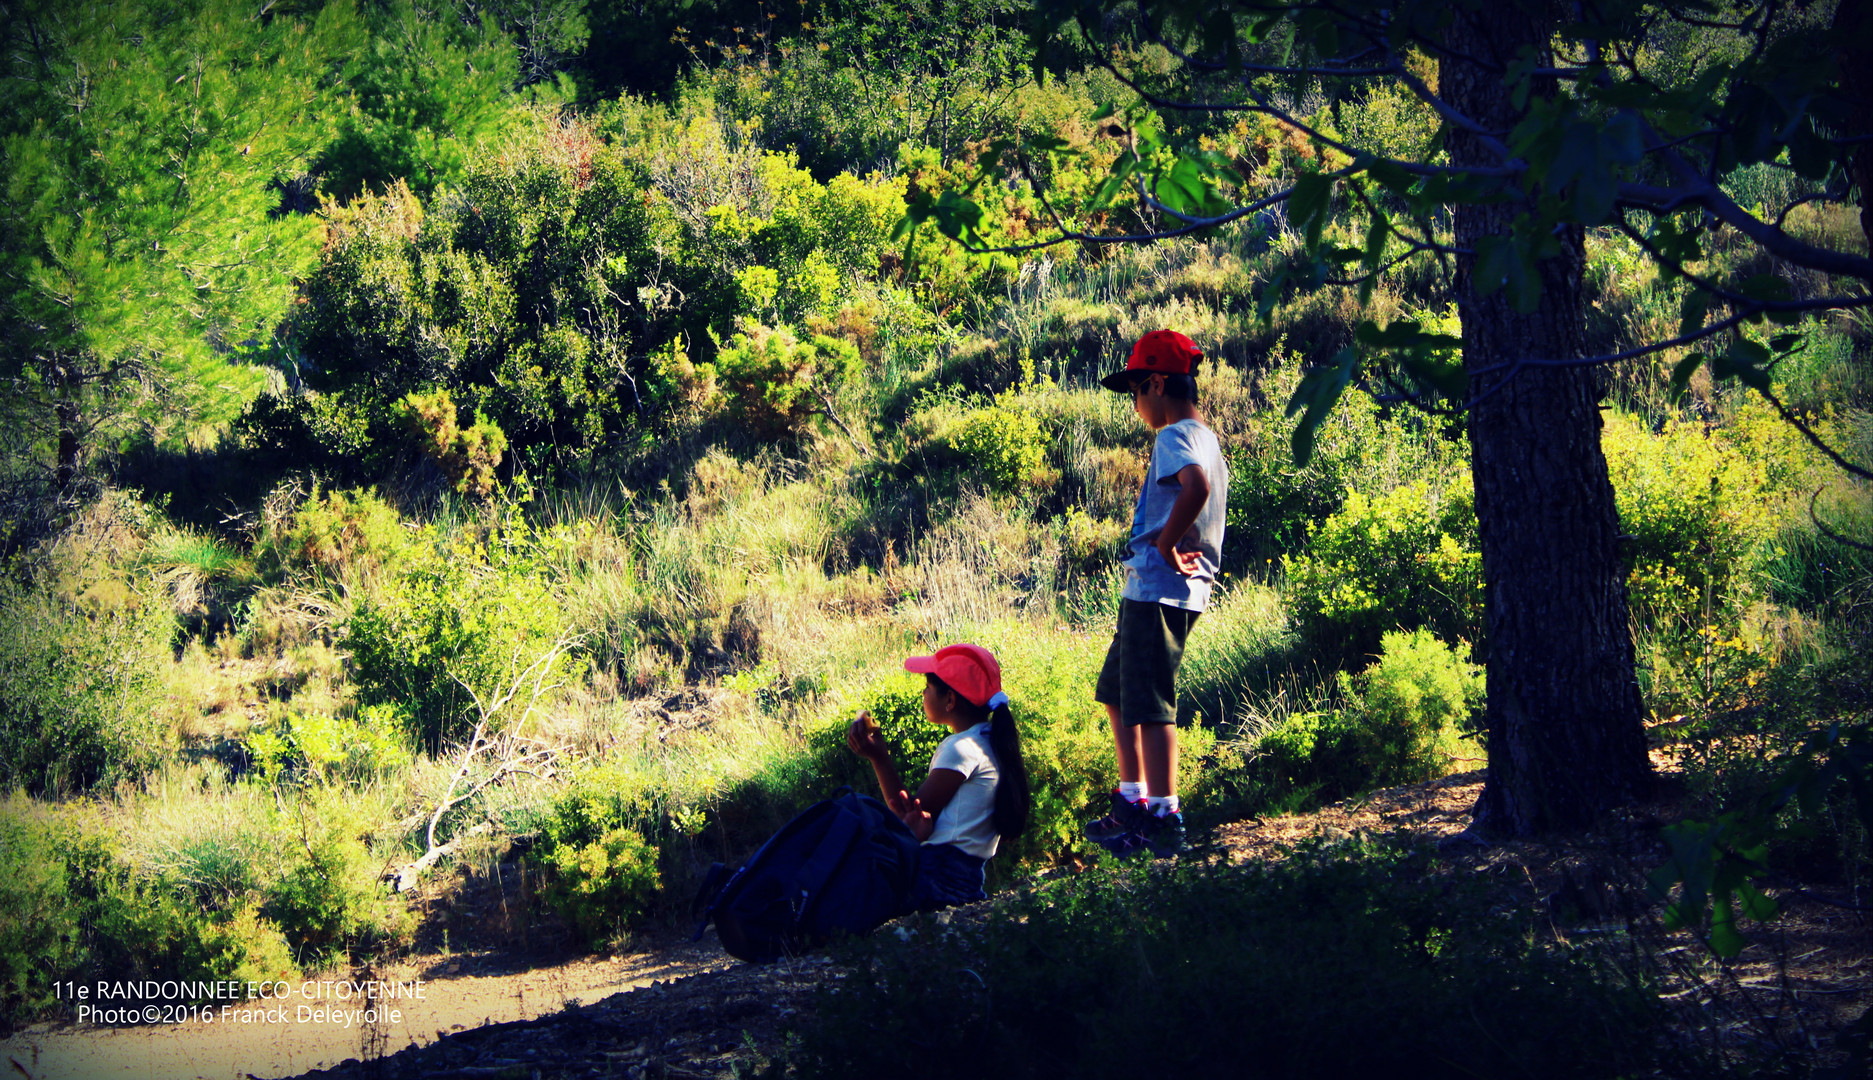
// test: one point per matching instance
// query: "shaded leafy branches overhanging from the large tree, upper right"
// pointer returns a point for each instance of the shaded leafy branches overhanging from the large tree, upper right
(1632, 124)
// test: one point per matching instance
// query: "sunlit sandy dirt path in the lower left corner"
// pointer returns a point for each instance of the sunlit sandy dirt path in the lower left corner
(278, 1040)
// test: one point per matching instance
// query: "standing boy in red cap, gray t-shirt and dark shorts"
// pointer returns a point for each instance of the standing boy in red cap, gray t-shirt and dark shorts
(1172, 562)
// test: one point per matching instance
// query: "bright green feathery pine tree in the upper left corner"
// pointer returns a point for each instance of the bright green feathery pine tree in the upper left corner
(141, 261)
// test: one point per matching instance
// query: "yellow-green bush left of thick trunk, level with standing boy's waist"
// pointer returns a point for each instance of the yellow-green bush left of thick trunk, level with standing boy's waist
(1402, 561)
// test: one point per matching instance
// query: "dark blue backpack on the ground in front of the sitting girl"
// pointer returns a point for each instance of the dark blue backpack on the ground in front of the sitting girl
(842, 868)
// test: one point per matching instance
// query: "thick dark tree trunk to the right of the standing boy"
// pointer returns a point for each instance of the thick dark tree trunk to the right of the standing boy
(1563, 714)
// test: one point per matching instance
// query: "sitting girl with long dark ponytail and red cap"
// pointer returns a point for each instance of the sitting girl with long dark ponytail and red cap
(977, 791)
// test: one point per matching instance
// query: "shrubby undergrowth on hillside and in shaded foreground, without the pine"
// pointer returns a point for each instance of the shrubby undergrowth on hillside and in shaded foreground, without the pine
(593, 484)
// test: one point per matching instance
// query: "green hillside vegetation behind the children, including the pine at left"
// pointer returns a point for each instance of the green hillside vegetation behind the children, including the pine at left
(576, 456)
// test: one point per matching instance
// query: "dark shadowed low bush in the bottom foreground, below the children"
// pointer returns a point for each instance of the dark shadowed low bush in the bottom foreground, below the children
(1333, 963)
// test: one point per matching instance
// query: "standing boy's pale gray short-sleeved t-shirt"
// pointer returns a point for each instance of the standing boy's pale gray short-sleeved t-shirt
(1149, 577)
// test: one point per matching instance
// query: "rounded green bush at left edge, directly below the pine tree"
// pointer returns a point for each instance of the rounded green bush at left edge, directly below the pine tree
(80, 686)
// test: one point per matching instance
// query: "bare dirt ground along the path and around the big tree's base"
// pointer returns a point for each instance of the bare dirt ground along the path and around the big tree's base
(686, 1010)
